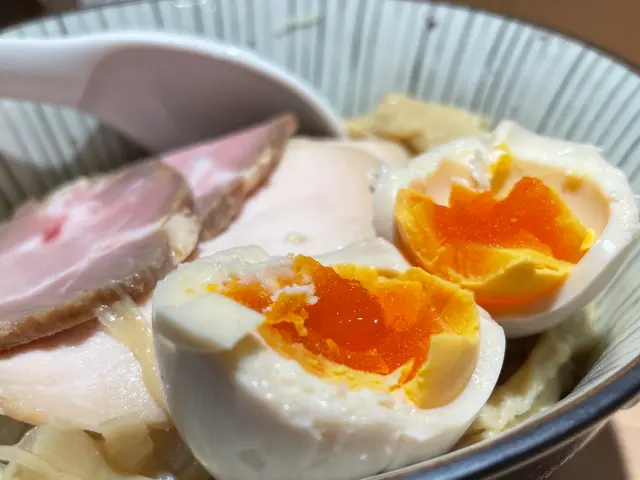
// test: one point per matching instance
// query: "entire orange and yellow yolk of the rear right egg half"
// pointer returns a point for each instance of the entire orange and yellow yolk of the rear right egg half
(508, 250)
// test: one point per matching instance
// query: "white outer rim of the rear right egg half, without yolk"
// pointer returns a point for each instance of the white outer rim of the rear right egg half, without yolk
(594, 271)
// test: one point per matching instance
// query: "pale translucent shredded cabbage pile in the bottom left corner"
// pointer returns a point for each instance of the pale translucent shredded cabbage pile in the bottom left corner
(125, 449)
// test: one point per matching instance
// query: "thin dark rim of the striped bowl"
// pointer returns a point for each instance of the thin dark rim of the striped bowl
(533, 439)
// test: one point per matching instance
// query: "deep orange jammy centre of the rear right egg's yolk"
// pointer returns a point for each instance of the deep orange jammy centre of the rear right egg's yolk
(531, 216)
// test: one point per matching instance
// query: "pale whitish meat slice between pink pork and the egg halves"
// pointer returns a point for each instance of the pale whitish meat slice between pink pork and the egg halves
(317, 200)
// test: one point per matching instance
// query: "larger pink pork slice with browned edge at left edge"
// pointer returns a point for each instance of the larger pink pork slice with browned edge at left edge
(86, 244)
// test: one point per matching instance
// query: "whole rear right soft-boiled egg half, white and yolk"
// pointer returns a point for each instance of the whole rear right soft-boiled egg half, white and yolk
(535, 227)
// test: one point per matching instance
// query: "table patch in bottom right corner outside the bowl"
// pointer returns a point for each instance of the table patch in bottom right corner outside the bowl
(612, 455)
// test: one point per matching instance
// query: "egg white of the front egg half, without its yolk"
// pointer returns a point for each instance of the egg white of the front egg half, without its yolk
(251, 414)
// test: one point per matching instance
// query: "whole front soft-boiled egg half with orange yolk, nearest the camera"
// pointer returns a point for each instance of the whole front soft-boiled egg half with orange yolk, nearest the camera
(334, 367)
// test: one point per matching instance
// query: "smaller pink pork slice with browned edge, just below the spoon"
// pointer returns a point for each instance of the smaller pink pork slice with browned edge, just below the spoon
(222, 173)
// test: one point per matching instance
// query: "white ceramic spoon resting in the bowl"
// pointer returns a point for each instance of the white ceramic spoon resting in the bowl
(162, 90)
